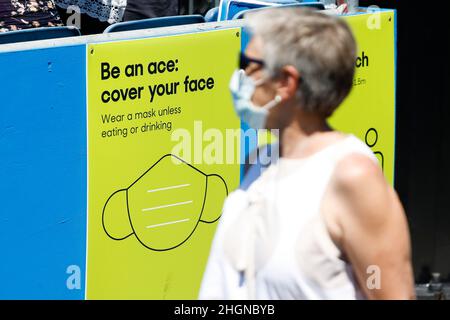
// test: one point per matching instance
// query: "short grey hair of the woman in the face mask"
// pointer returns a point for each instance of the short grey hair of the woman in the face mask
(321, 47)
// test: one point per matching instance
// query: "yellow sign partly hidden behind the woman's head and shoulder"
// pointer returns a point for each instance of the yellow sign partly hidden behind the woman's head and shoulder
(369, 111)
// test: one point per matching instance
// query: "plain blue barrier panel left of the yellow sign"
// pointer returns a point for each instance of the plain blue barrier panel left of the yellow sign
(43, 173)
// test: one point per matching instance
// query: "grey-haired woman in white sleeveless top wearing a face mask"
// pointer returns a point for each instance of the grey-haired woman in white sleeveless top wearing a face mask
(322, 222)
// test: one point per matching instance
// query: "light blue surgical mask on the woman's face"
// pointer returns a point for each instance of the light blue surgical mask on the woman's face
(242, 88)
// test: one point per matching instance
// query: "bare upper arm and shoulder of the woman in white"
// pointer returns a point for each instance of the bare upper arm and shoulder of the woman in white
(373, 231)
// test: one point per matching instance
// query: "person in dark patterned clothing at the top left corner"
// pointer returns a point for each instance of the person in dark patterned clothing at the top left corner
(23, 14)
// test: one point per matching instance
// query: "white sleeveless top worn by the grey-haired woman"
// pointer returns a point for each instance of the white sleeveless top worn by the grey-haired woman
(272, 241)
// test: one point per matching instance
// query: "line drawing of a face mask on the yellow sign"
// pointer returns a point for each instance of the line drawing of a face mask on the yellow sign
(164, 206)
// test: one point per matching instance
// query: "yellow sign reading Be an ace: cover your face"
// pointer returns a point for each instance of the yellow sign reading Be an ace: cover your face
(152, 211)
